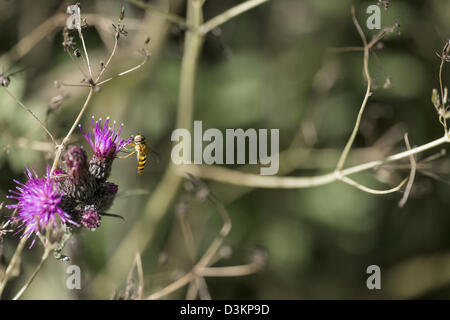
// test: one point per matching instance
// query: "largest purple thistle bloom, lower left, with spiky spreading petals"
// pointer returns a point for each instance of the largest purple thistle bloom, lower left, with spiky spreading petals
(39, 204)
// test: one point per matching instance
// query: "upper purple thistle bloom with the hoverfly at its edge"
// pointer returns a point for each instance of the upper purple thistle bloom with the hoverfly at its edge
(105, 141)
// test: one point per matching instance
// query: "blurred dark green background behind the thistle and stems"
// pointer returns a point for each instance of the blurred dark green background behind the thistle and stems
(269, 68)
